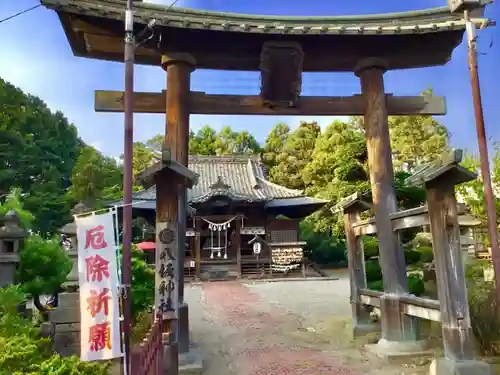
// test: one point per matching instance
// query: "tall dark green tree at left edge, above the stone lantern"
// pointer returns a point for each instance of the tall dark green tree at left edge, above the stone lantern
(38, 149)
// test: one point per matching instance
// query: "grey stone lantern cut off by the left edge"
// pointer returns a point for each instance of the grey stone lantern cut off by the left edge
(11, 239)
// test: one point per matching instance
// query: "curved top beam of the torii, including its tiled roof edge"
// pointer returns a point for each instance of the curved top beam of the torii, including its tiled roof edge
(230, 41)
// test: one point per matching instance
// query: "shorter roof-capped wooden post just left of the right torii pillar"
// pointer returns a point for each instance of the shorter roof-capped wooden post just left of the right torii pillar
(352, 207)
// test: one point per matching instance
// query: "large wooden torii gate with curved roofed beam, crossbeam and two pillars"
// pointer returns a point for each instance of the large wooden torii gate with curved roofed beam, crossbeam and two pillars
(281, 48)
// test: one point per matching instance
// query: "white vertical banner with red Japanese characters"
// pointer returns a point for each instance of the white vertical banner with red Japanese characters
(99, 291)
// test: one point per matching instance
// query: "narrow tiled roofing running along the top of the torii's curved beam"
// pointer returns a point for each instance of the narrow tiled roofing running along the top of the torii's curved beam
(419, 21)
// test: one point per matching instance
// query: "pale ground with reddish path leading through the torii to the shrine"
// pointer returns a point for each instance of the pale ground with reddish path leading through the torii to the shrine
(292, 328)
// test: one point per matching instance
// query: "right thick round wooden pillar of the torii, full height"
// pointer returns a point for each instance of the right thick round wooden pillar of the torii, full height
(399, 331)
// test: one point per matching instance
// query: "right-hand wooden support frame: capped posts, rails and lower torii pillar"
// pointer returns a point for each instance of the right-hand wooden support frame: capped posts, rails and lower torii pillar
(400, 311)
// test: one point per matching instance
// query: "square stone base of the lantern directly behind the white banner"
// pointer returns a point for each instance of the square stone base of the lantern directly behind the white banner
(66, 323)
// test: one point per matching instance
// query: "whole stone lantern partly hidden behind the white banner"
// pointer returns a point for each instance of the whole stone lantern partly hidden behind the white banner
(66, 317)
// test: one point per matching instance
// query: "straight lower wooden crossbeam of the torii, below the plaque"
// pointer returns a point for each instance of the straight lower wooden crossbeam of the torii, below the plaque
(205, 104)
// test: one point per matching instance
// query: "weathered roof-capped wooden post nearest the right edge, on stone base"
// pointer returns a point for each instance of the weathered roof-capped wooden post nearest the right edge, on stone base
(458, 340)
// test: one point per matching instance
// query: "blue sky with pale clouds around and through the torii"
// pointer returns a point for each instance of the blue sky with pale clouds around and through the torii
(36, 57)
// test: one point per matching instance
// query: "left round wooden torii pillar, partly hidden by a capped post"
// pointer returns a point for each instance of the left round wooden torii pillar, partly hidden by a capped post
(179, 68)
